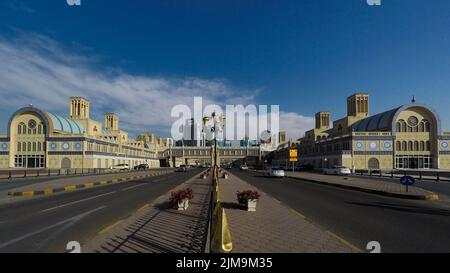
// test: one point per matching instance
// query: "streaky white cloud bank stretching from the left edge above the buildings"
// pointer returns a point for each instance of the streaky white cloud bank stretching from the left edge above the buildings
(36, 69)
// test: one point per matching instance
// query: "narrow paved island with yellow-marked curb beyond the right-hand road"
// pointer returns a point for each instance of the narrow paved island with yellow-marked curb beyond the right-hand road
(366, 185)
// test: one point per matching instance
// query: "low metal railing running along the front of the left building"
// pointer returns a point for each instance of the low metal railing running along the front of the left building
(29, 173)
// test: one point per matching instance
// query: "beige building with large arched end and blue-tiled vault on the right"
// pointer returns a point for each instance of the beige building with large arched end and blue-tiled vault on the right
(406, 137)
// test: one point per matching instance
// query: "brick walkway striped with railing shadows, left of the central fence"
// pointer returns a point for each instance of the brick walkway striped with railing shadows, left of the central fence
(158, 228)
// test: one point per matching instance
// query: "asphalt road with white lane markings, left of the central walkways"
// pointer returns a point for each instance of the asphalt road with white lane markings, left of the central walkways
(48, 224)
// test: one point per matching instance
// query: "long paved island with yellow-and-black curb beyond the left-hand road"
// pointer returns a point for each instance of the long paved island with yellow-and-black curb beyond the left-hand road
(80, 182)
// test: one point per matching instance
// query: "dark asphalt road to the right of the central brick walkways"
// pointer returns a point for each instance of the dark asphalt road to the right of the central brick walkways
(398, 225)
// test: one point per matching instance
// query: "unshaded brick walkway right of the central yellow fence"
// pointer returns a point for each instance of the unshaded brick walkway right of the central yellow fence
(273, 228)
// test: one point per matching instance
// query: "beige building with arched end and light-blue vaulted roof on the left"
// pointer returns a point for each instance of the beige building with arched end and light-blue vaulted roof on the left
(40, 139)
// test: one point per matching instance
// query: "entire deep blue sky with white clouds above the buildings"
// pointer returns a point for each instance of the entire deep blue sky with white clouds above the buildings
(305, 55)
